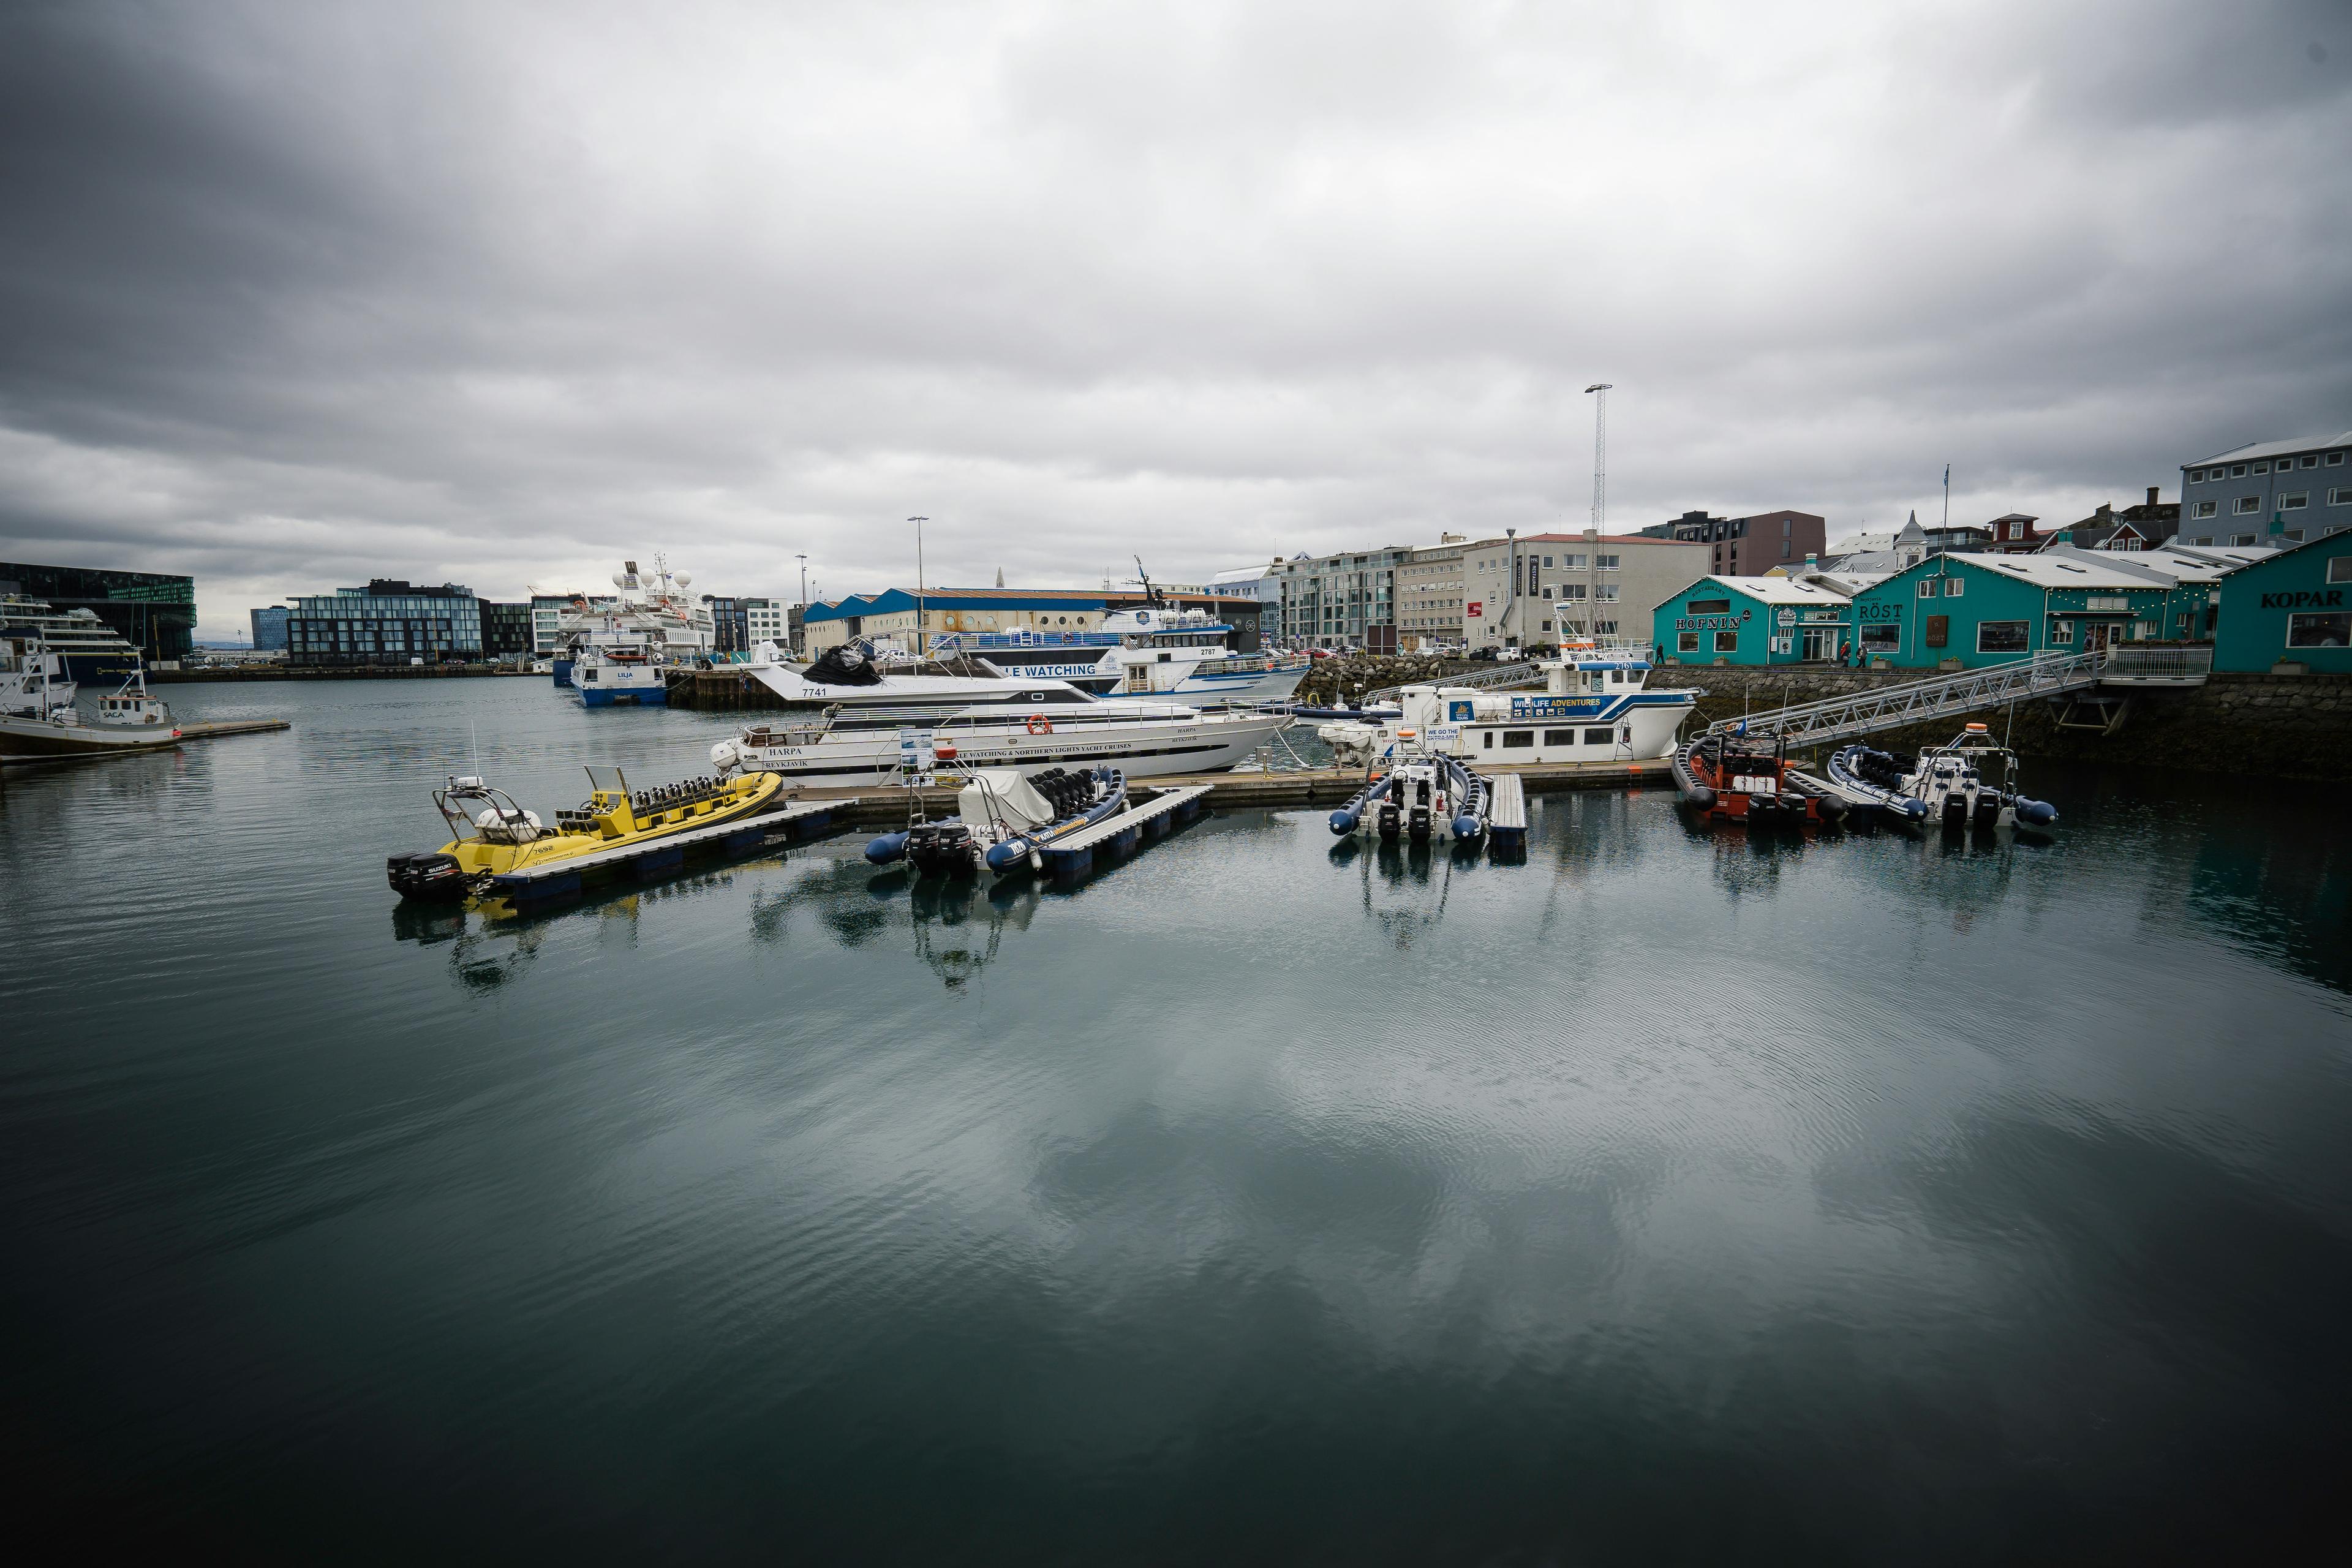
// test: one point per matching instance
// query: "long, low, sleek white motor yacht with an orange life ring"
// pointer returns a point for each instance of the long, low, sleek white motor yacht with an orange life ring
(864, 746)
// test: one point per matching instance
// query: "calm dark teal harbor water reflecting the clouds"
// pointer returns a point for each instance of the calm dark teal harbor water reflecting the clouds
(1671, 1195)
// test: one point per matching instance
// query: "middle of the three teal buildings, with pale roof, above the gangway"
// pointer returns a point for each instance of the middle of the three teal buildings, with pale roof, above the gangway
(1984, 610)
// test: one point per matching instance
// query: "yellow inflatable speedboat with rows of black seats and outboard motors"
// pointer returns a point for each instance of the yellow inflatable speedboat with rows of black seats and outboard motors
(493, 836)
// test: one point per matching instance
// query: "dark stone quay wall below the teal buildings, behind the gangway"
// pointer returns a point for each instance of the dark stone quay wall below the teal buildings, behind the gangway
(2287, 725)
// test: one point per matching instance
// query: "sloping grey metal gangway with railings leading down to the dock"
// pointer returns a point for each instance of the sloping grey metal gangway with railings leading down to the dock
(2045, 676)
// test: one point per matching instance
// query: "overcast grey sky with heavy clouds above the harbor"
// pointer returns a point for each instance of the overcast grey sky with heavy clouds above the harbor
(300, 295)
